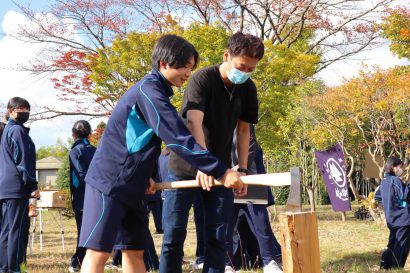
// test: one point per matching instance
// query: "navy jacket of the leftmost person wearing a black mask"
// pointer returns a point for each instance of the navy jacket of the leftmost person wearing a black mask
(17, 162)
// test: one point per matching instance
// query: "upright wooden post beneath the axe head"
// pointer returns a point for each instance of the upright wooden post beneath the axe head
(300, 242)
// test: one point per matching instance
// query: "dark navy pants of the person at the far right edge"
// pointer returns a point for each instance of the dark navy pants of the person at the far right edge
(397, 248)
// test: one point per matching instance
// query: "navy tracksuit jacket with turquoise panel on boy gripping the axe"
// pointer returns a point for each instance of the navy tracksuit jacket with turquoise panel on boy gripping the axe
(131, 142)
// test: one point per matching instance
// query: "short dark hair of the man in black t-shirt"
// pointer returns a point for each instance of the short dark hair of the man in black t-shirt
(241, 44)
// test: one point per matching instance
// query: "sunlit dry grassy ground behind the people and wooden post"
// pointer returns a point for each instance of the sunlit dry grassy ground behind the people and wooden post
(353, 246)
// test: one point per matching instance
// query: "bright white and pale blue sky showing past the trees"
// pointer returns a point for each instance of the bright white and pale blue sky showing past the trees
(39, 91)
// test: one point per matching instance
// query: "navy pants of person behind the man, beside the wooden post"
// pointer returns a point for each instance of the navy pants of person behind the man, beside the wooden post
(258, 220)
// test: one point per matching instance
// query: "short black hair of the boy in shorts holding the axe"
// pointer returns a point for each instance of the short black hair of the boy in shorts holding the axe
(174, 50)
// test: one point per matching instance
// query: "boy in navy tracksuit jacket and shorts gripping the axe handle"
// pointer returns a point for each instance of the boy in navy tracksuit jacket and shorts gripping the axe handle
(114, 206)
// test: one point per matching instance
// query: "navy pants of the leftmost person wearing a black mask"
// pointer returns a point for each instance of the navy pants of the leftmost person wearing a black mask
(14, 231)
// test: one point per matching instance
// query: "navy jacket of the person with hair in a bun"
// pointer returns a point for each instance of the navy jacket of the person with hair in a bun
(80, 157)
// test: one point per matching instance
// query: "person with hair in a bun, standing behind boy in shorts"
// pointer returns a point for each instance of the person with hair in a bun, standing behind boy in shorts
(80, 158)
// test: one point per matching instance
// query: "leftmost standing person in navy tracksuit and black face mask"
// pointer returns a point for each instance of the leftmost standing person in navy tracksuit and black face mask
(17, 184)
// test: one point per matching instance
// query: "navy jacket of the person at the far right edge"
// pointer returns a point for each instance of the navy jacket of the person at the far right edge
(393, 194)
